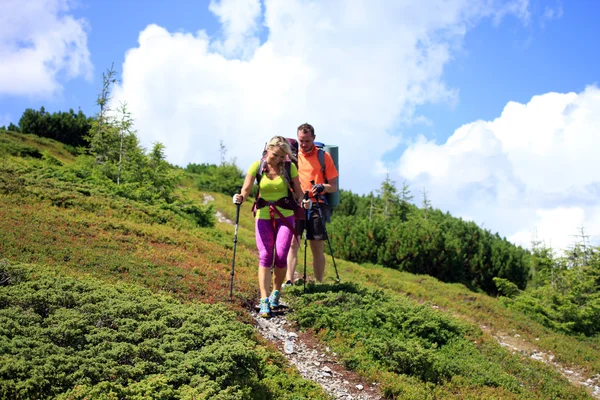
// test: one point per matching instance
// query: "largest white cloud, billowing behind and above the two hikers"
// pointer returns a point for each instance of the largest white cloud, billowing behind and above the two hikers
(353, 69)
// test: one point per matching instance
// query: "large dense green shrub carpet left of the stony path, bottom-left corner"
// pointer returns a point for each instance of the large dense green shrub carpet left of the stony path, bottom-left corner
(67, 338)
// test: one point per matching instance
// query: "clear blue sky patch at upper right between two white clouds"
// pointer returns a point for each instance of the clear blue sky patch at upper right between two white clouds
(514, 62)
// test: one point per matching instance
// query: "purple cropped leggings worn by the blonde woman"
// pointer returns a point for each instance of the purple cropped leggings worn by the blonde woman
(278, 241)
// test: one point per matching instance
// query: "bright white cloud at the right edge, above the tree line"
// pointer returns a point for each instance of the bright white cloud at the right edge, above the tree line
(535, 167)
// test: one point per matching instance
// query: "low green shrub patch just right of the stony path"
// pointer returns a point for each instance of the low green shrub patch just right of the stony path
(396, 334)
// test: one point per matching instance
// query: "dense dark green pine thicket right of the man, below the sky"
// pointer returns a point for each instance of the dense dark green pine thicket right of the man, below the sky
(388, 229)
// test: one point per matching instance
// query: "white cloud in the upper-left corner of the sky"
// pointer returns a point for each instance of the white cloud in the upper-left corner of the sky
(39, 43)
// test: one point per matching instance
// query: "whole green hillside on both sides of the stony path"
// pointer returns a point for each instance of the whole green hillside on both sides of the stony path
(122, 291)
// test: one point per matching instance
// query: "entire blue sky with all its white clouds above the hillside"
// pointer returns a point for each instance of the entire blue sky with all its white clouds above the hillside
(489, 105)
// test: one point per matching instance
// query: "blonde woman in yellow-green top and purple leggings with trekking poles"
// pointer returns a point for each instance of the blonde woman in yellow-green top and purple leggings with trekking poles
(278, 196)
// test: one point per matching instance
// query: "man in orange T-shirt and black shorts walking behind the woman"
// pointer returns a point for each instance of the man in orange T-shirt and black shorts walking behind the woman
(325, 181)
